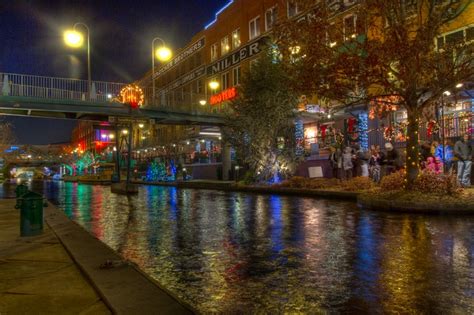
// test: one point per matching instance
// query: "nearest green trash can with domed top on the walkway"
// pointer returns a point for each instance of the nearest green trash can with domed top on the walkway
(31, 215)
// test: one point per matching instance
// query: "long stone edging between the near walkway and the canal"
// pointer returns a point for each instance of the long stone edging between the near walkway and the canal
(123, 287)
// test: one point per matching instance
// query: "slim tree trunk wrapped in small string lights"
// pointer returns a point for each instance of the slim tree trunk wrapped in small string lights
(412, 149)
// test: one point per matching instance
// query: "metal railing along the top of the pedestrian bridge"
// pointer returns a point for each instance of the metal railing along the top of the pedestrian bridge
(33, 86)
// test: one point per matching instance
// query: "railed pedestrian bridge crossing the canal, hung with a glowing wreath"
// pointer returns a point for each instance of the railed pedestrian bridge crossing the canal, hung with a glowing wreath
(39, 96)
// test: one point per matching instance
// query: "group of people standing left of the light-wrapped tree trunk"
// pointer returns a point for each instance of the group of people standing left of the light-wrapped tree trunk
(353, 161)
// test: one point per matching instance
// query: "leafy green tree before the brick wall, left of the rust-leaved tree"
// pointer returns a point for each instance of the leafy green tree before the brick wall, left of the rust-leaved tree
(261, 125)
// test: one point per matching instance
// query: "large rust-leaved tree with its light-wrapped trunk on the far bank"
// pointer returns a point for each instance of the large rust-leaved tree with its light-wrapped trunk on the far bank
(390, 56)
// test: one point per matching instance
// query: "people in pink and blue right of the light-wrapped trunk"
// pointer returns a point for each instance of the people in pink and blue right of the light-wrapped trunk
(457, 158)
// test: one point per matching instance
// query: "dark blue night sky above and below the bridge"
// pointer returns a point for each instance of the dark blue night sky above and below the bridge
(31, 34)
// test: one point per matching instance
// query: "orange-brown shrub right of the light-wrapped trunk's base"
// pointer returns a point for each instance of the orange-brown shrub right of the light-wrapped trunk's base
(430, 182)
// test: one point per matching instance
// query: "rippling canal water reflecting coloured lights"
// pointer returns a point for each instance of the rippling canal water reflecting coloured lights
(230, 252)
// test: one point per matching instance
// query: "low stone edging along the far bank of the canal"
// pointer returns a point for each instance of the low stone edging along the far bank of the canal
(364, 200)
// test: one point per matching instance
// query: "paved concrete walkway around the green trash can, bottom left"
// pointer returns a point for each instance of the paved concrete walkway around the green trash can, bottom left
(37, 276)
